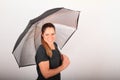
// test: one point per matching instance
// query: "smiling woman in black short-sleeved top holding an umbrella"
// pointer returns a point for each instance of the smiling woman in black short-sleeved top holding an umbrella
(50, 62)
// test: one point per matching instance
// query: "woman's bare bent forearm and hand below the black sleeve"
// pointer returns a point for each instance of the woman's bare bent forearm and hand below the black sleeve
(47, 72)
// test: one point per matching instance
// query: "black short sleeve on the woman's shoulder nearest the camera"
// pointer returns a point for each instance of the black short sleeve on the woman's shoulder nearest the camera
(41, 55)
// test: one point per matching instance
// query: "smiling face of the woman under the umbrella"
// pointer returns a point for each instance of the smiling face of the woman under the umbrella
(49, 35)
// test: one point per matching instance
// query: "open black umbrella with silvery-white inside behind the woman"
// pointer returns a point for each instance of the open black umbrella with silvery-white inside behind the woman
(65, 21)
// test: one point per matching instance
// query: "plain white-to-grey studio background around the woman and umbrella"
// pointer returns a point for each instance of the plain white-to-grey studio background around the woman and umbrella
(94, 50)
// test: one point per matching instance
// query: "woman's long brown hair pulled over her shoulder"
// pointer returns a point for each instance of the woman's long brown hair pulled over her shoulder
(45, 45)
